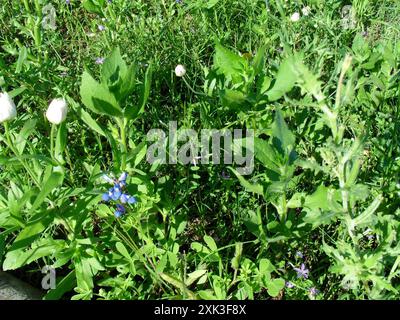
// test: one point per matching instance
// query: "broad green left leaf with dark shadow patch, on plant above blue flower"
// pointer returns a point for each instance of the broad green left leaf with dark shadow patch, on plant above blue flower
(97, 97)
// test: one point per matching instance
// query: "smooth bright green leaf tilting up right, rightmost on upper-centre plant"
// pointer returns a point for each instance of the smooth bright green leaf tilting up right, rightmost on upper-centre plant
(285, 79)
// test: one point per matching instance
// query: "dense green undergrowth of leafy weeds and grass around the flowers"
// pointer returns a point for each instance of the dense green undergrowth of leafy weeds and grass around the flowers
(317, 218)
